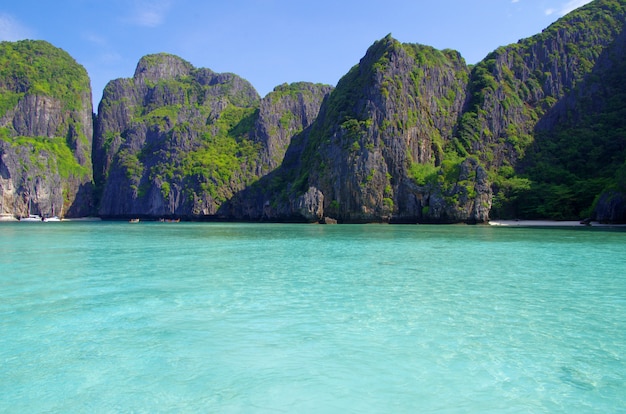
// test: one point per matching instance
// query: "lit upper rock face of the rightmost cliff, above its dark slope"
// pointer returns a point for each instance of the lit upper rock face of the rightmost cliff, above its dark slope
(527, 87)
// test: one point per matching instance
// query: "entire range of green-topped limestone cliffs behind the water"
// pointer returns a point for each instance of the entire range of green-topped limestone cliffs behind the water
(411, 134)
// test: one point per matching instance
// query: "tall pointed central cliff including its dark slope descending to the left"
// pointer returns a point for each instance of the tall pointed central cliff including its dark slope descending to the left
(386, 120)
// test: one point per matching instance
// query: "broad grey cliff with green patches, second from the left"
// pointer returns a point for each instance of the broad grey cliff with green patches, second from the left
(179, 141)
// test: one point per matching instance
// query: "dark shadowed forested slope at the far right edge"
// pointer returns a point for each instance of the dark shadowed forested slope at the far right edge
(579, 150)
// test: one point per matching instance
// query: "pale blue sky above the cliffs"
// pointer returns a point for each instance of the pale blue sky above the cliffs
(268, 42)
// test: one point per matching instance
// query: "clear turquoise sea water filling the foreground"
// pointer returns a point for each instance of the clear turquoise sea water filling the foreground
(213, 317)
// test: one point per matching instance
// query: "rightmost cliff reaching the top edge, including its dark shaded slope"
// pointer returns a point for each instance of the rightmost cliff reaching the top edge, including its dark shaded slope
(546, 115)
